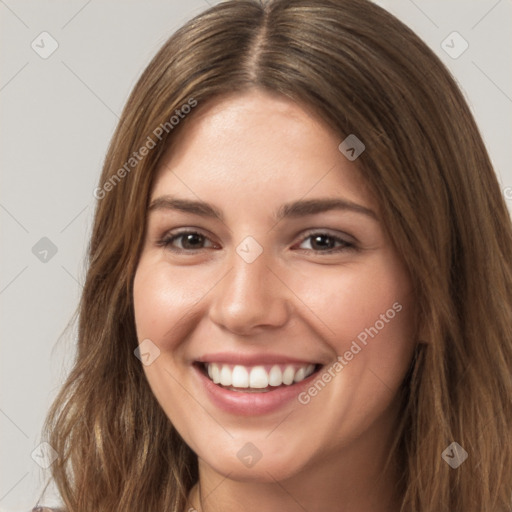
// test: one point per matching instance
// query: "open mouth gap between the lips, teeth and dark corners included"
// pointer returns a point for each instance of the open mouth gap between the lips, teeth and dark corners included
(258, 378)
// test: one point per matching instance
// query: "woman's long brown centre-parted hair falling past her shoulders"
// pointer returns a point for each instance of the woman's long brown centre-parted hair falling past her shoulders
(440, 202)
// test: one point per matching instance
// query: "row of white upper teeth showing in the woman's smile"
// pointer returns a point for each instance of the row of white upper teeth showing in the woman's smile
(257, 377)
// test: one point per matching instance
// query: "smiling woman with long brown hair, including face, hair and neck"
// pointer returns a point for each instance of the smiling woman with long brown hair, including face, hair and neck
(299, 294)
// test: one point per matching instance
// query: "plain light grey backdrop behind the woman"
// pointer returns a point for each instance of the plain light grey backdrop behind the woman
(57, 116)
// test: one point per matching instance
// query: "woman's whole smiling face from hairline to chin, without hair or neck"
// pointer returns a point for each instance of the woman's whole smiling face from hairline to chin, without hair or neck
(265, 260)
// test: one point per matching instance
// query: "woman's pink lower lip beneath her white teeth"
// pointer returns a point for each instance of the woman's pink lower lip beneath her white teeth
(251, 404)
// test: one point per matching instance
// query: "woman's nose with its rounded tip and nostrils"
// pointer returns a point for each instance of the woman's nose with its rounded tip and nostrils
(250, 297)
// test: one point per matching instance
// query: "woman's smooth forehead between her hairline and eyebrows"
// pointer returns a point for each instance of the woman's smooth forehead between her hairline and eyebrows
(257, 146)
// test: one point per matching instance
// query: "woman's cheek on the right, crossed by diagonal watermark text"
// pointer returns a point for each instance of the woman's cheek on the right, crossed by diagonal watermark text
(366, 313)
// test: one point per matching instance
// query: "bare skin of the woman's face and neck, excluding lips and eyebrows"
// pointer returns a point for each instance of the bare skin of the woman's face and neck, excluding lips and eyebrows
(248, 154)
